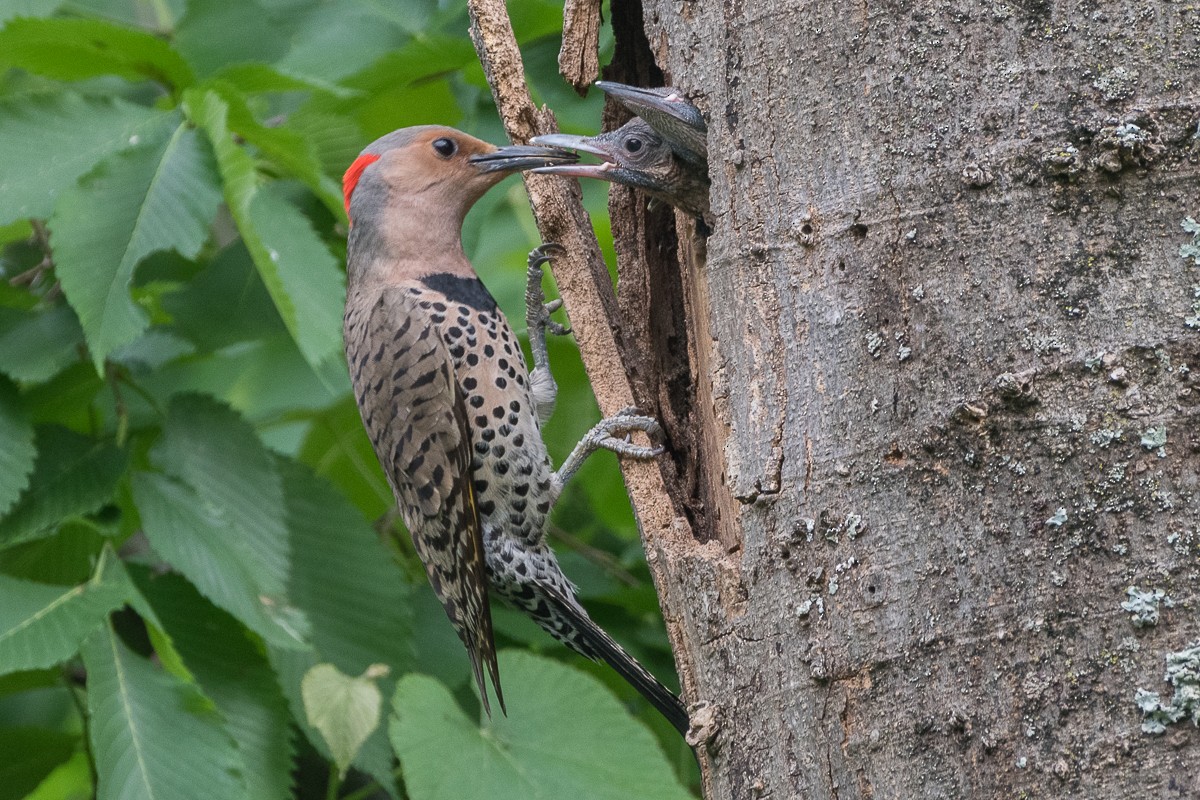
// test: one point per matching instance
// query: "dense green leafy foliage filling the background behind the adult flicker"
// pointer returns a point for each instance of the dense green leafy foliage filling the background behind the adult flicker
(203, 591)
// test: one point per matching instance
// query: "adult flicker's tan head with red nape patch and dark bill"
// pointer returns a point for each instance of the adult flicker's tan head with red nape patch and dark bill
(434, 172)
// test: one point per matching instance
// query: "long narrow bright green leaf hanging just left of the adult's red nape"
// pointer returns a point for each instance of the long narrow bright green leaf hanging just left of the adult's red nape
(297, 268)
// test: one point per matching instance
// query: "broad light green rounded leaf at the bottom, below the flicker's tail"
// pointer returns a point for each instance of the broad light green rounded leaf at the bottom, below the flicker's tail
(566, 736)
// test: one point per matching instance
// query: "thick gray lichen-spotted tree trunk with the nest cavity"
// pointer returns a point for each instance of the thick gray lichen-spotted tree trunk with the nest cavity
(933, 393)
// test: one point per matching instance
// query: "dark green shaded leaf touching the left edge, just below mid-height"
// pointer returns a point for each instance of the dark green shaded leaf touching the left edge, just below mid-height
(74, 476)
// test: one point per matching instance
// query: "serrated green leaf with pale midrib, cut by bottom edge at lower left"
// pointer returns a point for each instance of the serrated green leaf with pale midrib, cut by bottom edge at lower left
(152, 735)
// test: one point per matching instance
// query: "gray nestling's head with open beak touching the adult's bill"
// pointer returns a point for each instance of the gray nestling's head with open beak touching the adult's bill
(635, 155)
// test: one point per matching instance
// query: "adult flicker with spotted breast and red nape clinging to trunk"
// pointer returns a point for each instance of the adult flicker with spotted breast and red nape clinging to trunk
(449, 406)
